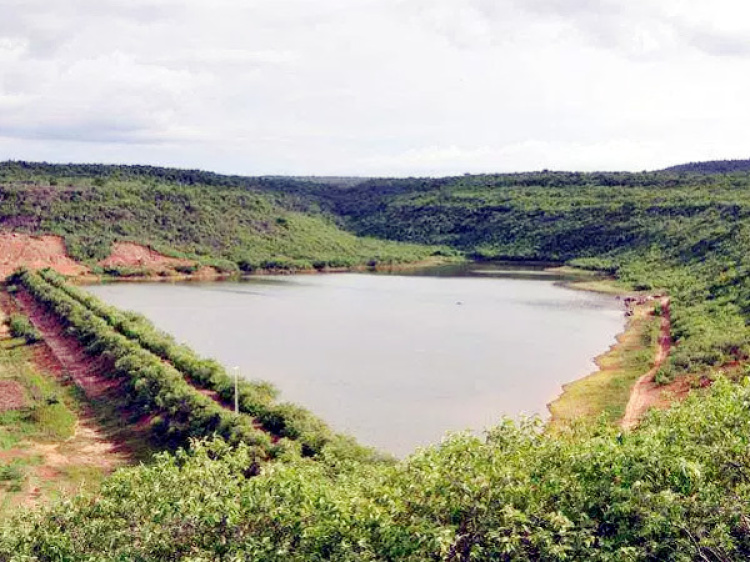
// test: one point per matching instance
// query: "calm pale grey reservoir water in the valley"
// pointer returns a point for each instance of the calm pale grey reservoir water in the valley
(394, 360)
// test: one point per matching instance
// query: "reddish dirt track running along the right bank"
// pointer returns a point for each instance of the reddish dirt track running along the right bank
(646, 393)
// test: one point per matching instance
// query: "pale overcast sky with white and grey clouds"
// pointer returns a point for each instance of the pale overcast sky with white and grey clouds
(375, 88)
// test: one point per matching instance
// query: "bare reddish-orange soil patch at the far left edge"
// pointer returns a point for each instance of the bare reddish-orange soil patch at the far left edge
(35, 252)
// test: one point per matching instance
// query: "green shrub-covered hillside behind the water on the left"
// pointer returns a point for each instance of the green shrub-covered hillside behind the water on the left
(222, 221)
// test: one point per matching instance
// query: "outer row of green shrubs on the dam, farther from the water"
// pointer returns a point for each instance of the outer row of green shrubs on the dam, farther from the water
(152, 388)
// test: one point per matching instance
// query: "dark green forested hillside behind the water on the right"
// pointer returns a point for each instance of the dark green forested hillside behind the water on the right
(685, 233)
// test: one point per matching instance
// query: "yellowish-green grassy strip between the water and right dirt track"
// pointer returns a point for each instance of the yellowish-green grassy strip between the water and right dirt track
(606, 392)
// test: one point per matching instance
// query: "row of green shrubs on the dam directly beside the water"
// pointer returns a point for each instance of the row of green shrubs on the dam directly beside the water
(255, 398)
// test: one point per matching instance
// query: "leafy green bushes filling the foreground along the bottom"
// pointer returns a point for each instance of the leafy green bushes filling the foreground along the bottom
(677, 489)
